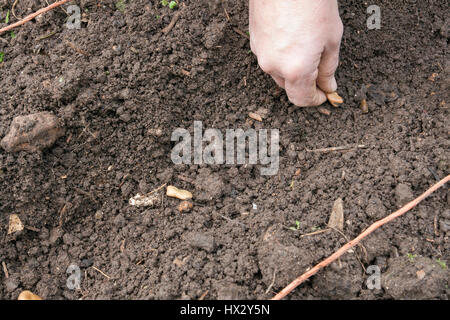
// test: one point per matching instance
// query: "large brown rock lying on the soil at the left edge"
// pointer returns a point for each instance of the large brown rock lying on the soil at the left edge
(32, 132)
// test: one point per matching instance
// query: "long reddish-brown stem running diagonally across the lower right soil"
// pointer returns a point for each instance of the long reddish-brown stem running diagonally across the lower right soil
(283, 293)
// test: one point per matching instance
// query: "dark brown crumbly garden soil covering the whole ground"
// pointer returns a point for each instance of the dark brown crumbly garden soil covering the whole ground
(122, 86)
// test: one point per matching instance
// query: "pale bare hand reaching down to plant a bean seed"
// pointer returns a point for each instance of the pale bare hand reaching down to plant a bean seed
(297, 42)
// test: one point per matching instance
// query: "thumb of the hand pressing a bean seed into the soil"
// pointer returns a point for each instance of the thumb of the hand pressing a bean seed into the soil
(327, 67)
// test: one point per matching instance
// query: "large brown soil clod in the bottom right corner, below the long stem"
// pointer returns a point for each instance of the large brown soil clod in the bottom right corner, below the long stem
(401, 280)
